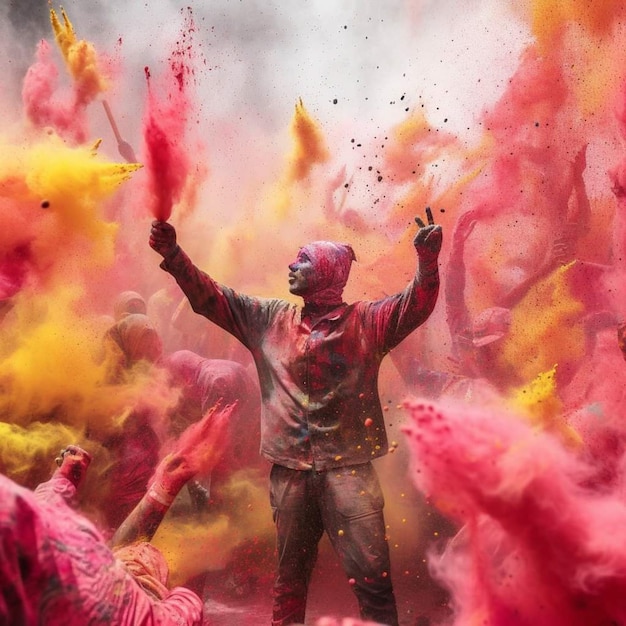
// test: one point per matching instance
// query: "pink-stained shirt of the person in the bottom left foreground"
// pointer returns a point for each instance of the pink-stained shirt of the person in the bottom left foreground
(56, 569)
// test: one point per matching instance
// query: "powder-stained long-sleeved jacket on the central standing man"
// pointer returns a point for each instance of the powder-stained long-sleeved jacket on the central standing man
(318, 377)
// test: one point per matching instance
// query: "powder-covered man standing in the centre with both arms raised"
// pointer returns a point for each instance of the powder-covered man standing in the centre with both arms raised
(321, 422)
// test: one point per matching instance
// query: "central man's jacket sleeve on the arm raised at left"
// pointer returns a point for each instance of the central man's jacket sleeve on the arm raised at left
(242, 316)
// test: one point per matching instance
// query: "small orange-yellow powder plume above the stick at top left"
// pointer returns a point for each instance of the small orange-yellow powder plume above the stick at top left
(80, 57)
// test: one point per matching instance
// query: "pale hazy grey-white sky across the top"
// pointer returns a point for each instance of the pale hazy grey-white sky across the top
(350, 60)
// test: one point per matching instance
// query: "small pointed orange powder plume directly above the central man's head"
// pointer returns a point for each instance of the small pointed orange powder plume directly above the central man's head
(309, 147)
